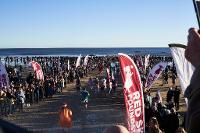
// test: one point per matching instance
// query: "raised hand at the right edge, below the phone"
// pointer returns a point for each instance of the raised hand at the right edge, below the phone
(192, 52)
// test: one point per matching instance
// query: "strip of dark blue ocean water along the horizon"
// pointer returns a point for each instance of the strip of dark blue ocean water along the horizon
(82, 51)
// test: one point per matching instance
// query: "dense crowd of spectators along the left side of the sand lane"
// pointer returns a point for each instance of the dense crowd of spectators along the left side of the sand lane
(24, 89)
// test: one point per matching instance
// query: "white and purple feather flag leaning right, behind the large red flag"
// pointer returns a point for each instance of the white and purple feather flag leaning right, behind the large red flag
(155, 73)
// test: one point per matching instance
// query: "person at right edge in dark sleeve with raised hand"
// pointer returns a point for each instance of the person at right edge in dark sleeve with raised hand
(192, 54)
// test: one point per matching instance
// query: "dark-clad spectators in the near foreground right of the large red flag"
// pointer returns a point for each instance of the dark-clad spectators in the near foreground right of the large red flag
(165, 113)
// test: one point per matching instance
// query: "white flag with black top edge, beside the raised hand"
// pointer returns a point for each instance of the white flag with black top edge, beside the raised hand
(183, 67)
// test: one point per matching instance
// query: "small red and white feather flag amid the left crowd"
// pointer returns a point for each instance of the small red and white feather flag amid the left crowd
(38, 70)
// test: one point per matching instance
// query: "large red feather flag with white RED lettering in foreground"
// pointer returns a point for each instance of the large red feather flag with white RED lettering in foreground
(133, 94)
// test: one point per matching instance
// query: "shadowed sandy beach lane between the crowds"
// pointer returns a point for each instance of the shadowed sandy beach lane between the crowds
(104, 109)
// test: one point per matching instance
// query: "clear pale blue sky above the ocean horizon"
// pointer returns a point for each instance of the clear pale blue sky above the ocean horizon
(94, 23)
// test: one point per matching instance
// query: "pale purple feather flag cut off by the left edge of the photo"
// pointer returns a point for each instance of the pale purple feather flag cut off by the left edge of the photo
(4, 80)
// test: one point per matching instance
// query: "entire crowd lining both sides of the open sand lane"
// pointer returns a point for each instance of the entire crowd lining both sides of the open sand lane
(27, 90)
